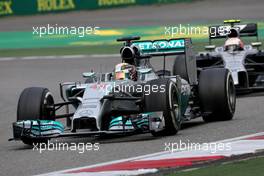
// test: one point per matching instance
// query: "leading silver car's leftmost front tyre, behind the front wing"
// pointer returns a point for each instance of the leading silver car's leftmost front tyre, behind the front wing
(35, 103)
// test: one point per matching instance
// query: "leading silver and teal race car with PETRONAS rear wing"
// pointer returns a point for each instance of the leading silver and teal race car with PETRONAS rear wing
(133, 99)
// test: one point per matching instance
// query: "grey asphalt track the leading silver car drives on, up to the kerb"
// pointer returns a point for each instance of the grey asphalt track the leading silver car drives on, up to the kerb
(18, 159)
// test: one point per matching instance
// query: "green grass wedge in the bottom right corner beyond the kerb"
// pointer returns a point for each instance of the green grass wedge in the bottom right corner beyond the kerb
(239, 168)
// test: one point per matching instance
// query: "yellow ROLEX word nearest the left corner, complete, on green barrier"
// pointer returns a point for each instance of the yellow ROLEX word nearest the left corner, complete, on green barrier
(55, 5)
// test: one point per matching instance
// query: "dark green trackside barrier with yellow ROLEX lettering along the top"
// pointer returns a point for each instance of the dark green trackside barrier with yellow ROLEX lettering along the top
(31, 7)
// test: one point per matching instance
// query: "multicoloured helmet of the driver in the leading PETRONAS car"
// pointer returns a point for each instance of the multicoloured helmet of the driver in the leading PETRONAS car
(124, 71)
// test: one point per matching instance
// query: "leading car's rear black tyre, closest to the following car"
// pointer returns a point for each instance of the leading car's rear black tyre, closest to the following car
(217, 95)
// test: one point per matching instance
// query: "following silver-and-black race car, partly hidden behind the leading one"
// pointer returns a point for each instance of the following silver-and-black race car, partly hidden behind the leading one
(245, 62)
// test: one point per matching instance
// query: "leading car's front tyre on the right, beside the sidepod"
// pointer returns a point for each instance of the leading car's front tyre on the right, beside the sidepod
(167, 101)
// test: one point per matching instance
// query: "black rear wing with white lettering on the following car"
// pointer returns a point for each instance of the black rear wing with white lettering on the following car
(245, 30)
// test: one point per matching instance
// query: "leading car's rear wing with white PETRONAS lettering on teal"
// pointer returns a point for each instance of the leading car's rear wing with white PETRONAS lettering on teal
(163, 47)
